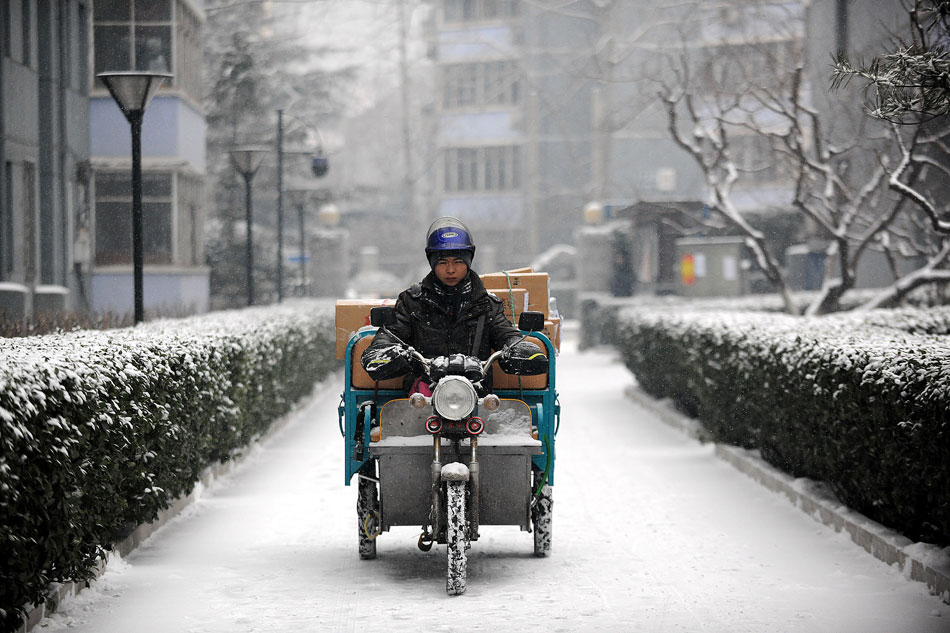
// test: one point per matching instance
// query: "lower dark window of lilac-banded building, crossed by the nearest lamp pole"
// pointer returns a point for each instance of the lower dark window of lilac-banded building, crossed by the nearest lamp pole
(114, 218)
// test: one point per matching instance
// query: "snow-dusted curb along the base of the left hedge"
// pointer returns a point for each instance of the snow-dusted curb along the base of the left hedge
(60, 591)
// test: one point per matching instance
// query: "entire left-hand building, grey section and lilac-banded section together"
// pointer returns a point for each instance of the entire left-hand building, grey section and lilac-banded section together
(65, 155)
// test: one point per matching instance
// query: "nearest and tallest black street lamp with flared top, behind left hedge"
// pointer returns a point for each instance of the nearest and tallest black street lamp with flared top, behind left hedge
(132, 91)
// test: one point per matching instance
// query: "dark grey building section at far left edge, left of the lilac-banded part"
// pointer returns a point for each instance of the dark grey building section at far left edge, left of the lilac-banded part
(44, 149)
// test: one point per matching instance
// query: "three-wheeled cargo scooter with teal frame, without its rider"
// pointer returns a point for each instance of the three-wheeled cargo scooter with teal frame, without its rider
(454, 461)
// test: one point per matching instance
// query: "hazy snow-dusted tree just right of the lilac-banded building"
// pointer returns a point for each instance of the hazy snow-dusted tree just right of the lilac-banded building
(252, 64)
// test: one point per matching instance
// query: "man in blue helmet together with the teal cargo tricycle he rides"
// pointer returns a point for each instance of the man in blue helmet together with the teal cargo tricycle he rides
(449, 412)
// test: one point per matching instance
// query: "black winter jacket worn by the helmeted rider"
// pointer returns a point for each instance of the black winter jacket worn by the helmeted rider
(438, 320)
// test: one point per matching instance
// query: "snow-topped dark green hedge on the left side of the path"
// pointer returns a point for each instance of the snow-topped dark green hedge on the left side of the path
(101, 430)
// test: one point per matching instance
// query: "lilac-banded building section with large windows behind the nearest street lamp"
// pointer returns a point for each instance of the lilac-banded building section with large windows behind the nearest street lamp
(161, 36)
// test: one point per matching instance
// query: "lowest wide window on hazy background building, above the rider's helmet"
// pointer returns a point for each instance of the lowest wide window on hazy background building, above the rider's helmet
(482, 168)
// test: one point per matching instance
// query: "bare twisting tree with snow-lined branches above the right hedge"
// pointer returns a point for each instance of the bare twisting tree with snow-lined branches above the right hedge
(846, 191)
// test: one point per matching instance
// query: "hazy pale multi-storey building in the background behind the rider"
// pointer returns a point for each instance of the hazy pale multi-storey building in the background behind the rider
(543, 107)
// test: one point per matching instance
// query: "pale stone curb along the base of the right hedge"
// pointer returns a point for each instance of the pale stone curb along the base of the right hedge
(920, 562)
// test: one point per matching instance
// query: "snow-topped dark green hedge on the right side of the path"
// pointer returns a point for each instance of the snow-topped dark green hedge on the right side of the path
(858, 400)
